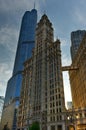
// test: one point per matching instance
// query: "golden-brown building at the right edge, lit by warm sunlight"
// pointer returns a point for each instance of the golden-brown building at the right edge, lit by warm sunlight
(78, 81)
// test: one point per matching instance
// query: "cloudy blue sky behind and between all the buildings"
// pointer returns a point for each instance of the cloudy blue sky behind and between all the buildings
(66, 16)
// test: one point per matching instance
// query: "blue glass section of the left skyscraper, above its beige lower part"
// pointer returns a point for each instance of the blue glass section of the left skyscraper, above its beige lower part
(24, 51)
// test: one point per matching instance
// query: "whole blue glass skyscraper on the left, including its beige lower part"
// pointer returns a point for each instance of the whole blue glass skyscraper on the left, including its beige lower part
(24, 51)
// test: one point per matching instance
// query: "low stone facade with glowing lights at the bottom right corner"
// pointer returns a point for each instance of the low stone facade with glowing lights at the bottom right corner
(75, 119)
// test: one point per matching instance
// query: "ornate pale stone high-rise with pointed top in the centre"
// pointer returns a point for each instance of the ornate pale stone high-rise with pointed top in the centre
(42, 93)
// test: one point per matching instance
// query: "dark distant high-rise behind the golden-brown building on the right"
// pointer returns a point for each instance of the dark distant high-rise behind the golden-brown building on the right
(76, 38)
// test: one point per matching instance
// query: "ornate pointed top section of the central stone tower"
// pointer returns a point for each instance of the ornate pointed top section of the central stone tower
(44, 29)
